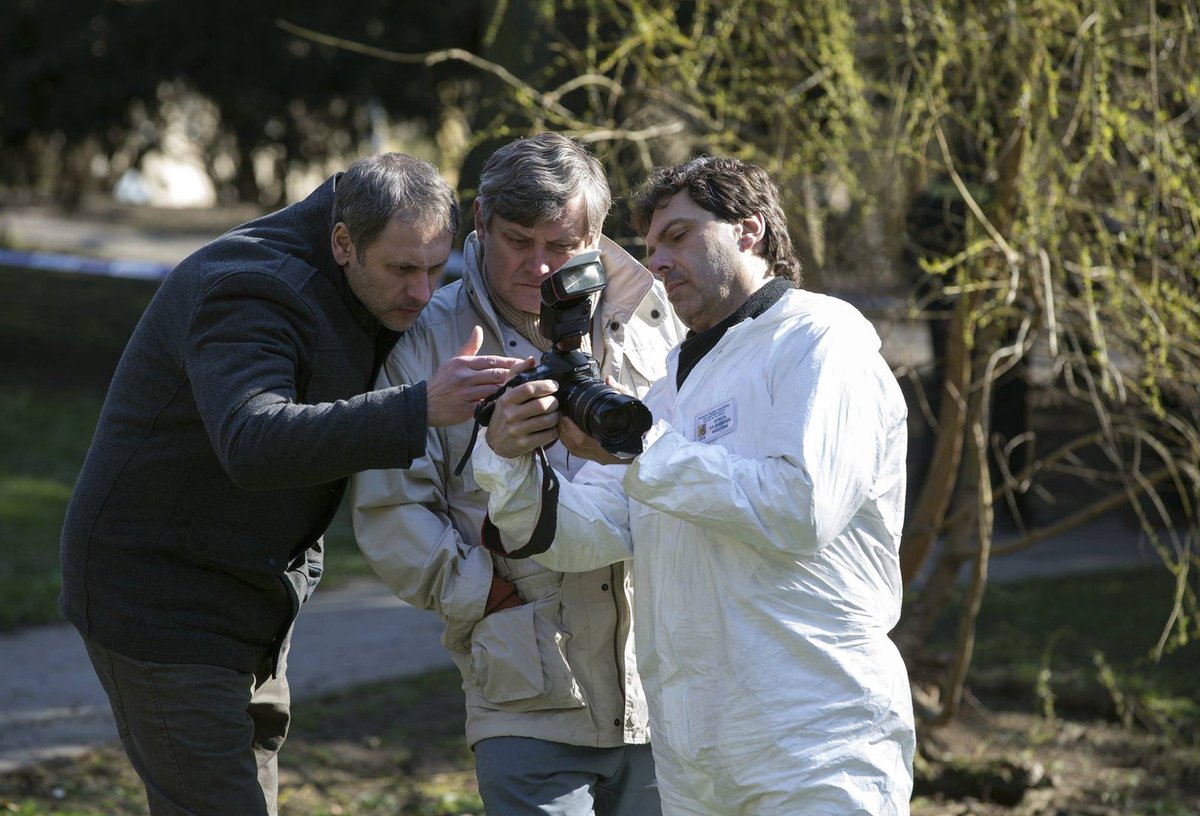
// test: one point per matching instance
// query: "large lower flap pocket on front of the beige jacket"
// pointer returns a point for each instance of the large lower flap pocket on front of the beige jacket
(519, 661)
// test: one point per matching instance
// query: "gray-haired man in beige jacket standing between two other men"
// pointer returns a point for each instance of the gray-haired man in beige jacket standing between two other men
(556, 713)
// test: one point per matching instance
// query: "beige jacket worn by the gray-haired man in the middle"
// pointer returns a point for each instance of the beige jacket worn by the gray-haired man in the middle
(561, 667)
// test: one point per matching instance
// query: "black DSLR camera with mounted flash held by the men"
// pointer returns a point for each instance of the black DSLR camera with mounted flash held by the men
(614, 419)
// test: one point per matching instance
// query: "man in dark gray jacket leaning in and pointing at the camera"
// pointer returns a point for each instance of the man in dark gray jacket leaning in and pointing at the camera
(239, 410)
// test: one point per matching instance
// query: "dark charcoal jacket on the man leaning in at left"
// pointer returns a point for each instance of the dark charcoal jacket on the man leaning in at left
(239, 409)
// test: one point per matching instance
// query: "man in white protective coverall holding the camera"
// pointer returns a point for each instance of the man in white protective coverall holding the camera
(763, 518)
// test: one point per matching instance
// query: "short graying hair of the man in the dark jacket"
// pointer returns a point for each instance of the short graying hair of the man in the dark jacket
(375, 190)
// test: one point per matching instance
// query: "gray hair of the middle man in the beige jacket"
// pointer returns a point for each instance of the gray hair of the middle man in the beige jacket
(533, 179)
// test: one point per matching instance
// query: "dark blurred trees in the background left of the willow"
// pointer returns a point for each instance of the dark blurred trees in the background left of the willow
(89, 91)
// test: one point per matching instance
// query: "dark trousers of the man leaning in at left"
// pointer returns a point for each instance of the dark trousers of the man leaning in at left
(205, 740)
